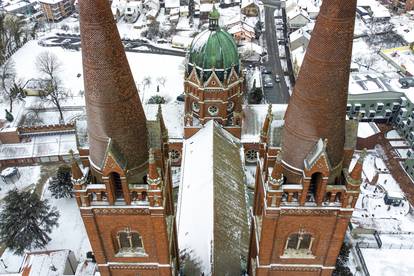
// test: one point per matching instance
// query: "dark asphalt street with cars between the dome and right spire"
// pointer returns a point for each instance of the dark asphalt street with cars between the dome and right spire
(279, 93)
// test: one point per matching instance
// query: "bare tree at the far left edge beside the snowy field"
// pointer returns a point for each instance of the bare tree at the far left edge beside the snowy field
(9, 87)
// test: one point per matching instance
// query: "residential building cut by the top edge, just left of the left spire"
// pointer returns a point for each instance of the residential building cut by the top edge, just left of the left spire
(56, 10)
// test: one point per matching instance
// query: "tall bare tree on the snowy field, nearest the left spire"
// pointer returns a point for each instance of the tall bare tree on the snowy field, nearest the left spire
(53, 91)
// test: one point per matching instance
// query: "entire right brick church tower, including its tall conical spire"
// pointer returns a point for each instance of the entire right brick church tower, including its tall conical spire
(305, 192)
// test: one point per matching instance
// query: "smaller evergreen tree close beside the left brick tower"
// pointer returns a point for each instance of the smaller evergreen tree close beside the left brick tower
(61, 185)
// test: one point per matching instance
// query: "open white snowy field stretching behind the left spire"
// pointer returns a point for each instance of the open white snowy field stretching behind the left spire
(149, 70)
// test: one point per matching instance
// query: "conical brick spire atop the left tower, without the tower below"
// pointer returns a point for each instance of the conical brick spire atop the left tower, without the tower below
(113, 107)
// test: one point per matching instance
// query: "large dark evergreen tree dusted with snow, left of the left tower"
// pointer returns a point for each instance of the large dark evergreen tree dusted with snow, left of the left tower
(26, 221)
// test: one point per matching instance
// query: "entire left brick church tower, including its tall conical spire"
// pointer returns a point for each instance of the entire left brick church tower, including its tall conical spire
(124, 190)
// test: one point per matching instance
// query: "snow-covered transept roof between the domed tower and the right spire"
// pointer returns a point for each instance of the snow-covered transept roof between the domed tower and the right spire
(254, 116)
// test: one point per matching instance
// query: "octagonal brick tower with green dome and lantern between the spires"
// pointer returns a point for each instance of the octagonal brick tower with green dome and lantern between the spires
(213, 83)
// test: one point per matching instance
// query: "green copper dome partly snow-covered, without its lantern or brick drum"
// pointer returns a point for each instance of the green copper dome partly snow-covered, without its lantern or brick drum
(213, 49)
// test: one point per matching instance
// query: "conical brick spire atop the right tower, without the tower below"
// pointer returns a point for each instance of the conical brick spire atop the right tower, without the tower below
(317, 108)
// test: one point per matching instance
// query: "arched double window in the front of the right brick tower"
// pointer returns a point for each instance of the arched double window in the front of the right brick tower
(299, 245)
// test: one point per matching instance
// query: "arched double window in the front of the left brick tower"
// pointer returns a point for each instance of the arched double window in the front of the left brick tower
(129, 243)
